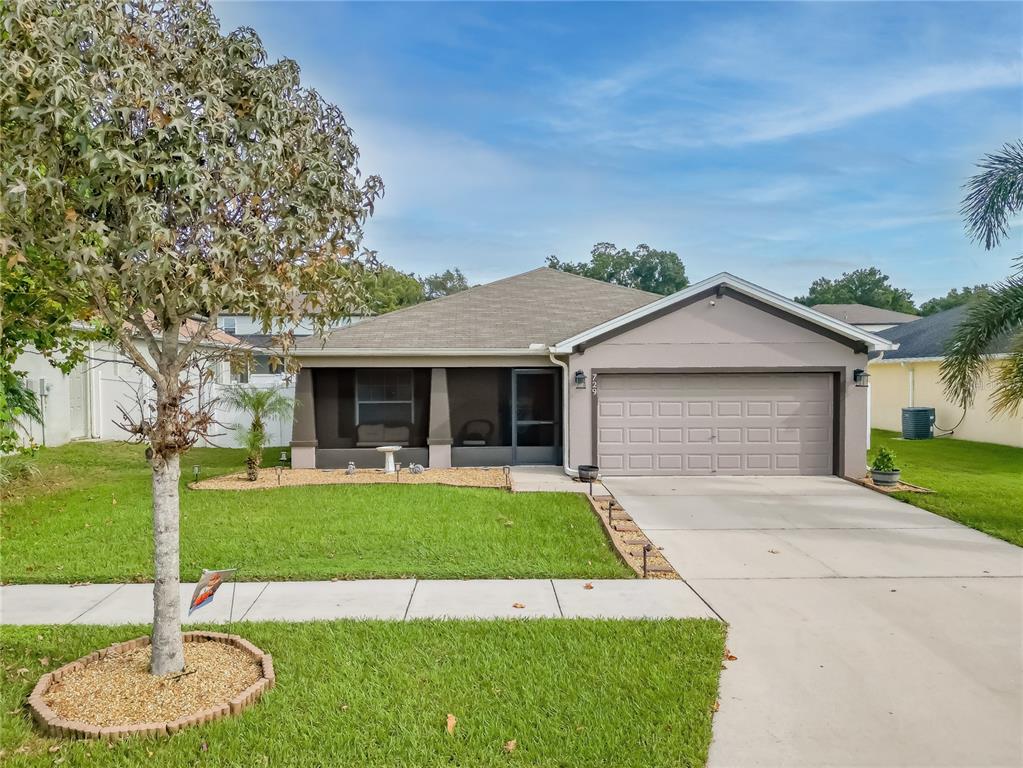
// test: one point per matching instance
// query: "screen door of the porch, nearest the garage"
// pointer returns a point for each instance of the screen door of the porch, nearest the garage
(536, 436)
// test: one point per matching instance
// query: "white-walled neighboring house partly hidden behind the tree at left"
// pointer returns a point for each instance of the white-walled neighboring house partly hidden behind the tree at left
(83, 404)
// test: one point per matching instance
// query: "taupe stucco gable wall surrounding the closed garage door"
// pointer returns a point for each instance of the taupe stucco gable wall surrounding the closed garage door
(724, 334)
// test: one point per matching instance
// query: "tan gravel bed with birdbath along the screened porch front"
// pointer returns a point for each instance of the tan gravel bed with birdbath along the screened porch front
(470, 477)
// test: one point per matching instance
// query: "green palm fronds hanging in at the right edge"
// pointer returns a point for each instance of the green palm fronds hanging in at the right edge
(994, 197)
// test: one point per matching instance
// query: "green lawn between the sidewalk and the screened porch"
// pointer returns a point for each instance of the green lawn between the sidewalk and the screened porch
(87, 518)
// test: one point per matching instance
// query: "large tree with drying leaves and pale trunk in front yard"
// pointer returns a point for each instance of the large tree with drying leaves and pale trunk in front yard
(175, 172)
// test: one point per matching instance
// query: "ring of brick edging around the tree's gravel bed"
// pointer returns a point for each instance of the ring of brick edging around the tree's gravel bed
(56, 727)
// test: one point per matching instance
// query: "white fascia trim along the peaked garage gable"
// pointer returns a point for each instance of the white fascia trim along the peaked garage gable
(873, 342)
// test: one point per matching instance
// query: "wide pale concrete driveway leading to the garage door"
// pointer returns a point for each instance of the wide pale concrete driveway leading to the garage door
(869, 633)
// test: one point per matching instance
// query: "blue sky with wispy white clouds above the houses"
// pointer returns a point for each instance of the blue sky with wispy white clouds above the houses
(777, 142)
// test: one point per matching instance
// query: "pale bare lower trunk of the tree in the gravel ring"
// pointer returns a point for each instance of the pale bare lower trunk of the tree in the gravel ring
(168, 650)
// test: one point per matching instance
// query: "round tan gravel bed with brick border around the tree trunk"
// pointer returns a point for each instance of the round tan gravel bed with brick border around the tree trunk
(111, 694)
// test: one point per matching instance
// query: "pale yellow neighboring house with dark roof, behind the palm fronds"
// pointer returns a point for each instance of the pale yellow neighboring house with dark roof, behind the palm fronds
(910, 377)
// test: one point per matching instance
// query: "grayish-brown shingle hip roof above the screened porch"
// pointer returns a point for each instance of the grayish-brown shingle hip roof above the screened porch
(545, 306)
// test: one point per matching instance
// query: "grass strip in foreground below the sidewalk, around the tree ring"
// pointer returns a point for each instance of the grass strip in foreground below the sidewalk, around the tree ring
(579, 693)
